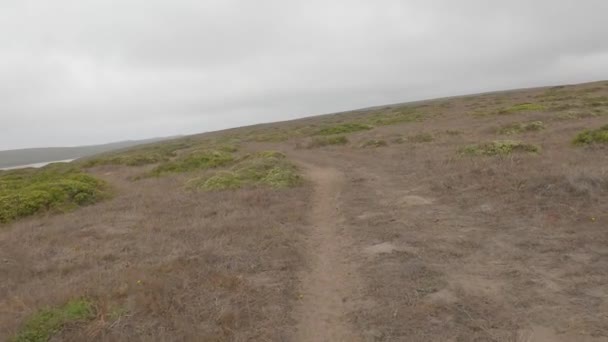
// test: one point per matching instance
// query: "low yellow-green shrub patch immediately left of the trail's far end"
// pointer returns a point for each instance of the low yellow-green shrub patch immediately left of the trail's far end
(268, 168)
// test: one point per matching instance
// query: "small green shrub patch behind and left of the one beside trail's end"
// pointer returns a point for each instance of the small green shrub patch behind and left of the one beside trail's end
(199, 160)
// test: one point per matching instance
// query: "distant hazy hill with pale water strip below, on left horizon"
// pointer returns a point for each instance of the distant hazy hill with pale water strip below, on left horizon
(27, 156)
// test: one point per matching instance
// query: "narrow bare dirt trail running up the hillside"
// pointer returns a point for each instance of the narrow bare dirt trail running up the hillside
(330, 286)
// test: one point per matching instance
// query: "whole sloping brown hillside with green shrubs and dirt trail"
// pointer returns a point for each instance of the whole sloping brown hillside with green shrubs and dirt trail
(474, 218)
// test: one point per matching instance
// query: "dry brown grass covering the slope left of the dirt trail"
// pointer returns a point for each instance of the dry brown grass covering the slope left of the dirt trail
(194, 266)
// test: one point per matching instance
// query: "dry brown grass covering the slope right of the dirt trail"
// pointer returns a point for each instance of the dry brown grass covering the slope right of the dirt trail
(502, 244)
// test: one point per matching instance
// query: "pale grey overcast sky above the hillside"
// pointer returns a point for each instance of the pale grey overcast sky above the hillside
(93, 71)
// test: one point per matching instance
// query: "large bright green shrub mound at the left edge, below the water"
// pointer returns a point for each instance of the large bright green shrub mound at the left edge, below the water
(55, 187)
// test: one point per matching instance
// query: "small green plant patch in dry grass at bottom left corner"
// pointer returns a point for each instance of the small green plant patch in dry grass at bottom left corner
(44, 324)
